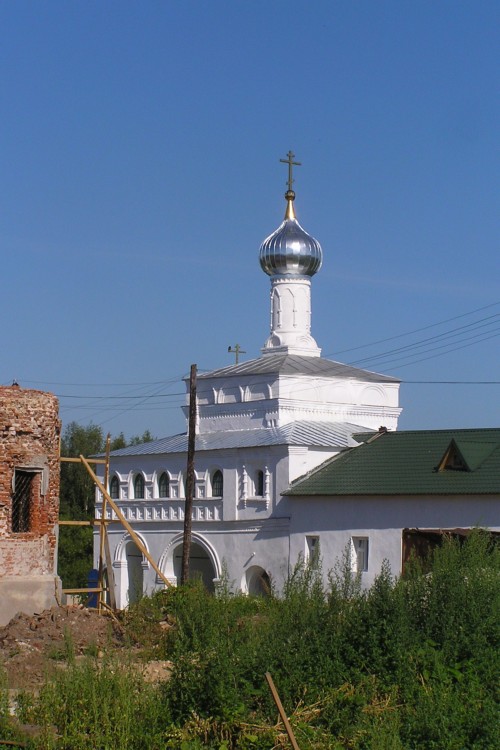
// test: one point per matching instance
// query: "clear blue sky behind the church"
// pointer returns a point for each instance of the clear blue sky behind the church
(139, 162)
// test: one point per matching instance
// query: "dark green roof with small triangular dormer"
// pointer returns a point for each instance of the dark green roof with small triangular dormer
(406, 463)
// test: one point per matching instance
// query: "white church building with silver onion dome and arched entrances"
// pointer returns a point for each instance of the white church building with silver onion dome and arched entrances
(260, 425)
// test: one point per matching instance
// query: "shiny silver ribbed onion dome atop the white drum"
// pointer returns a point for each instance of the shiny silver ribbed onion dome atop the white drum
(290, 250)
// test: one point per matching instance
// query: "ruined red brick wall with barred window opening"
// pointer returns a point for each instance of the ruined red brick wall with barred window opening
(29, 443)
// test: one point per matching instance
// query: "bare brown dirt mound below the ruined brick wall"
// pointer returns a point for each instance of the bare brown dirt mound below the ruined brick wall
(31, 646)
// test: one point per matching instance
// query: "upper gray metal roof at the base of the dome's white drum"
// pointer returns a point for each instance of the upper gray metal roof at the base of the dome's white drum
(294, 364)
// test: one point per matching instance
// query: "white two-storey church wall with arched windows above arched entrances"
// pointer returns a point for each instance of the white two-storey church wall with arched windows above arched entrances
(239, 532)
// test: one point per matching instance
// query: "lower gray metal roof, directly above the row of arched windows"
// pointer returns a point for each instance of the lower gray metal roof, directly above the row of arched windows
(321, 434)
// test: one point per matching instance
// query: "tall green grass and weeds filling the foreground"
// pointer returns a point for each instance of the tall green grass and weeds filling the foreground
(411, 664)
